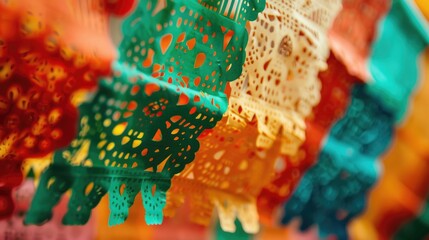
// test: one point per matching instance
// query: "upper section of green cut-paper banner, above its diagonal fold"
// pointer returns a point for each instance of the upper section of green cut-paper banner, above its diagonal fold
(189, 46)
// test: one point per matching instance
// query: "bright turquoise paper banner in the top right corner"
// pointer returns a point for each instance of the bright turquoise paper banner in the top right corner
(394, 81)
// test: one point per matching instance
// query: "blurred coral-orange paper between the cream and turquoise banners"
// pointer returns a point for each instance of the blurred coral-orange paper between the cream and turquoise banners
(353, 32)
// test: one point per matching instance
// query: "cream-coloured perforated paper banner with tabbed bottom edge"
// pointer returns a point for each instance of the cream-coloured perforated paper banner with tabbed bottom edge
(279, 86)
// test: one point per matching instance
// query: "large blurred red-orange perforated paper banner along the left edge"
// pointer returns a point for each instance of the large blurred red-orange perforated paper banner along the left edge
(44, 60)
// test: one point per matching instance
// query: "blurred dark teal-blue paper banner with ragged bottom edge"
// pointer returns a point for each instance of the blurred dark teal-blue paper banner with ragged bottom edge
(333, 192)
